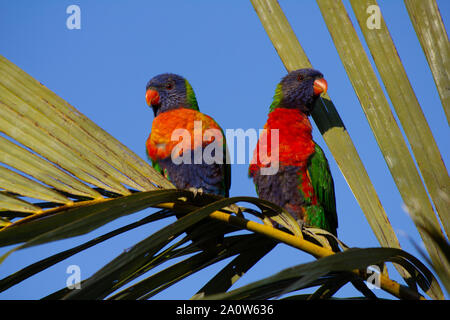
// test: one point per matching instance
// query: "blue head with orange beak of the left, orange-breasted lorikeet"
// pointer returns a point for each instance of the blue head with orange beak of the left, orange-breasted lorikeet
(169, 91)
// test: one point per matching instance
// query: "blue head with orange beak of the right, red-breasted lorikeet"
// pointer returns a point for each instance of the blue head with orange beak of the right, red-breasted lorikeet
(299, 89)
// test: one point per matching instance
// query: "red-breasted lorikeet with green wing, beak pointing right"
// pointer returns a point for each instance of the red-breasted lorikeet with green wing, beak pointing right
(303, 184)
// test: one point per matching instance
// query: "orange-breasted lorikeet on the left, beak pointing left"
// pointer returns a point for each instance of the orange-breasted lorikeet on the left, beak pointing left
(175, 107)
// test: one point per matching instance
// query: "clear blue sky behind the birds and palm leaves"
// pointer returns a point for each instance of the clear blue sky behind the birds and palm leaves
(224, 52)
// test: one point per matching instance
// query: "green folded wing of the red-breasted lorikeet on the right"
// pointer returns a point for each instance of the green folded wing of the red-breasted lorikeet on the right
(322, 182)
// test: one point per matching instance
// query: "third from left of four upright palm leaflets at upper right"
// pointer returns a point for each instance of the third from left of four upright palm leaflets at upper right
(408, 110)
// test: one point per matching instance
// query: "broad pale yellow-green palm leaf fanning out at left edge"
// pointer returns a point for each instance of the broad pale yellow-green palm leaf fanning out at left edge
(38, 119)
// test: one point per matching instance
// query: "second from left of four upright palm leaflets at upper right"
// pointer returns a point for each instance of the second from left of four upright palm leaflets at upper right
(380, 117)
